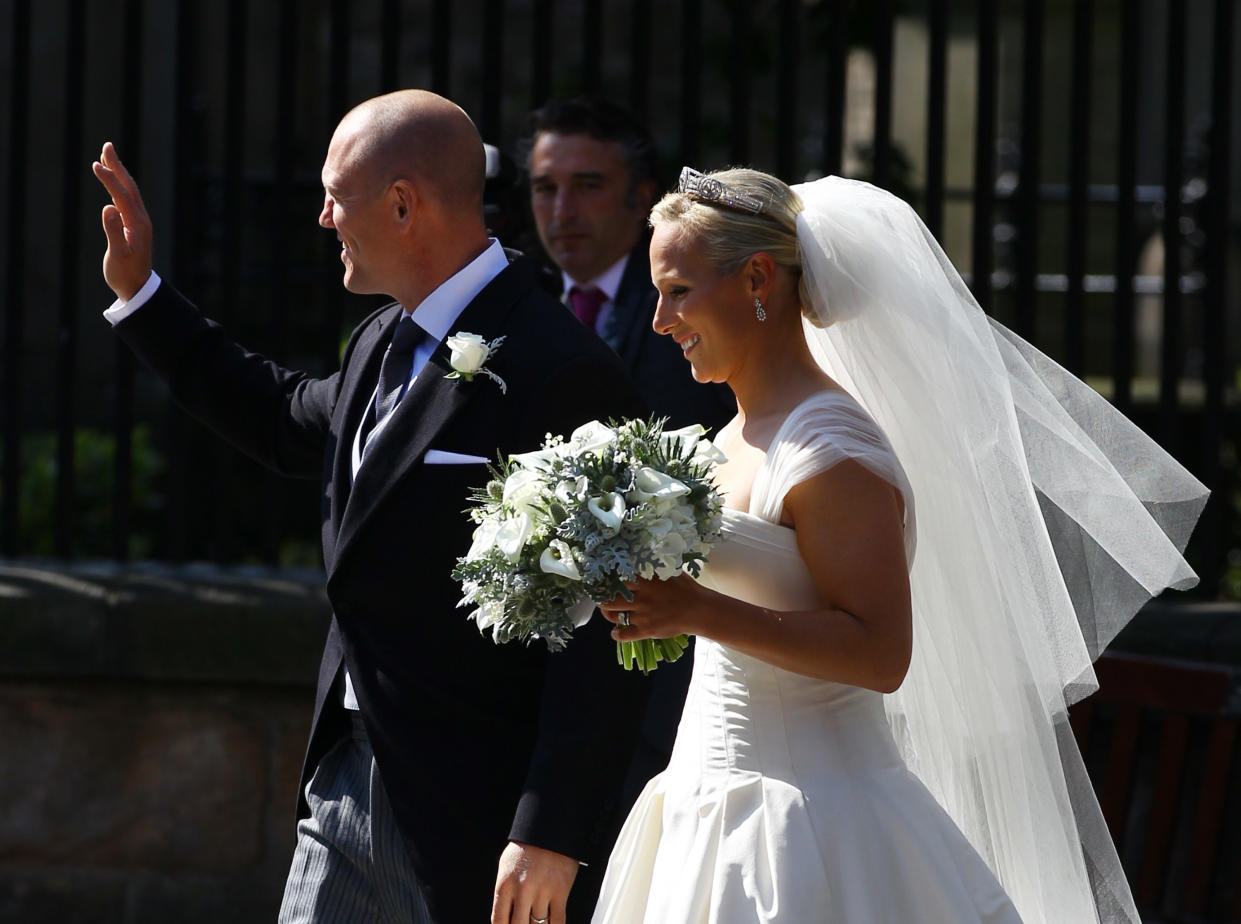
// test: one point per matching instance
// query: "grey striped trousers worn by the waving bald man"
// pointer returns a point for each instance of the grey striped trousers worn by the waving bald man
(351, 864)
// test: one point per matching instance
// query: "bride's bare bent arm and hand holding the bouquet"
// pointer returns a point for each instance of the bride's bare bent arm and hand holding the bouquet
(849, 533)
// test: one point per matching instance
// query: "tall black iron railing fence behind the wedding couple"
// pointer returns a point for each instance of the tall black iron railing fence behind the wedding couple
(1075, 157)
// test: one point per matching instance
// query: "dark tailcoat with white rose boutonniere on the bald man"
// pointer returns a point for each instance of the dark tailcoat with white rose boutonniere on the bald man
(477, 744)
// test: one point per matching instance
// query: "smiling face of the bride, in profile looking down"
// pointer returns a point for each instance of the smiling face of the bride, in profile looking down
(709, 316)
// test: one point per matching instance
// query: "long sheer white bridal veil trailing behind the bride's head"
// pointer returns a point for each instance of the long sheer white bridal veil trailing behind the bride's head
(1046, 519)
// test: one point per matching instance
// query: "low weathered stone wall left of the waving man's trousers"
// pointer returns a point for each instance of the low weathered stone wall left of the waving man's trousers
(153, 722)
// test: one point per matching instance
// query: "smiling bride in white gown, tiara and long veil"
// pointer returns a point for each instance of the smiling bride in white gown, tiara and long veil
(931, 533)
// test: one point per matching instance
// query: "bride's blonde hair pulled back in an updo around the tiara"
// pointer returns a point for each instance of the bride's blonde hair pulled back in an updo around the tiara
(730, 238)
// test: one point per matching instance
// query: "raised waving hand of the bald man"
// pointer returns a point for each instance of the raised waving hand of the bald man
(127, 264)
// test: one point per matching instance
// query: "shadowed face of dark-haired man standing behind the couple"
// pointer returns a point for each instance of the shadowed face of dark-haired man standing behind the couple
(586, 216)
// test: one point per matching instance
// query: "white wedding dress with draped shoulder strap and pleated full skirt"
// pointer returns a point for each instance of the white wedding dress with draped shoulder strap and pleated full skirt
(786, 798)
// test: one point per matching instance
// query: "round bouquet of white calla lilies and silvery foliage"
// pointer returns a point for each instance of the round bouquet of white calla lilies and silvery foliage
(564, 528)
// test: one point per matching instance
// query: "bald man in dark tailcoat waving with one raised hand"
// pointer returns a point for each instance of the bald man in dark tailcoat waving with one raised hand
(447, 778)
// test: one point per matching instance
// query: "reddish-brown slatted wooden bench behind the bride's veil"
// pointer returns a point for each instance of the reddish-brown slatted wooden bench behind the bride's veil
(1160, 742)
